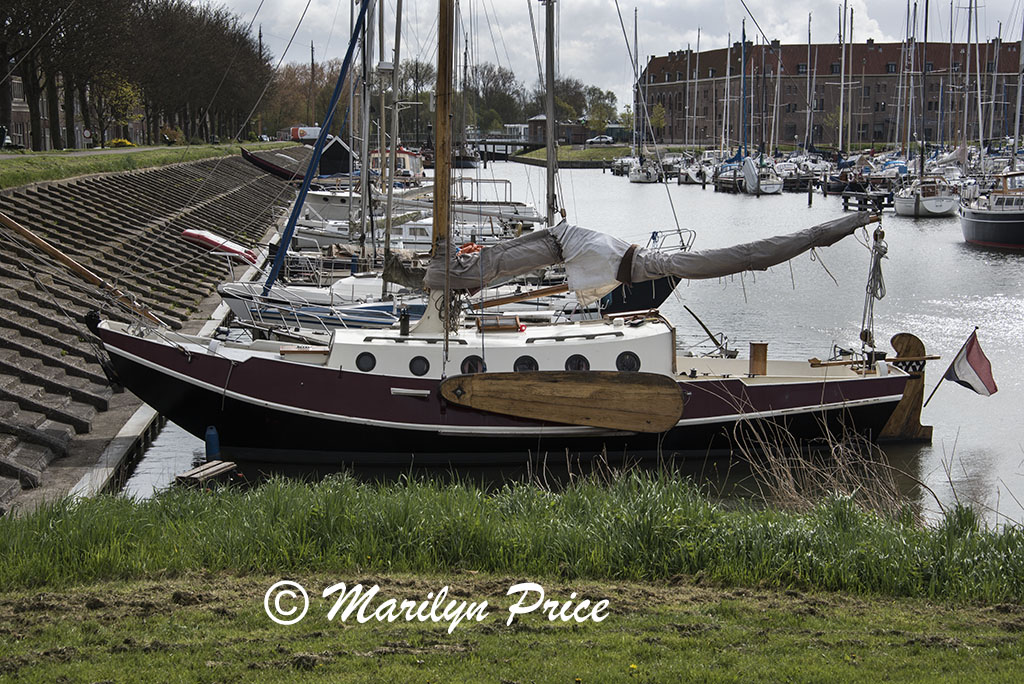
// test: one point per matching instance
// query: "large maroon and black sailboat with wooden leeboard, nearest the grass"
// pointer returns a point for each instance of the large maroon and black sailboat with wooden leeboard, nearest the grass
(501, 391)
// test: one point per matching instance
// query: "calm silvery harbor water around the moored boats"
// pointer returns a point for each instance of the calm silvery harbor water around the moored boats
(937, 287)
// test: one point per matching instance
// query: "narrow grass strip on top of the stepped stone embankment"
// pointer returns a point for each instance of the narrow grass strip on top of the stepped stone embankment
(36, 167)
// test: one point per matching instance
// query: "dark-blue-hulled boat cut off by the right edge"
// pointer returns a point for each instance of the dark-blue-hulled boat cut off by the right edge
(997, 219)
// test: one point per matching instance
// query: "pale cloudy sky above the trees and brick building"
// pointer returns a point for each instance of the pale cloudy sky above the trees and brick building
(591, 45)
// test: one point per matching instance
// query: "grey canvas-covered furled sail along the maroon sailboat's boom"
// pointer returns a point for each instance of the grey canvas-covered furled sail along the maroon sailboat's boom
(594, 262)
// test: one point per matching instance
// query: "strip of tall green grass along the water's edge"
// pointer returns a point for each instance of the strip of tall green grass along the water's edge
(636, 528)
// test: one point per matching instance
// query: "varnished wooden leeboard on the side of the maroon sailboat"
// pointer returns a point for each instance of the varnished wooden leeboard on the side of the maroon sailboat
(634, 402)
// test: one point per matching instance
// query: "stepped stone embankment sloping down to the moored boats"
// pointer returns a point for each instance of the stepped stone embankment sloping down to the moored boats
(57, 406)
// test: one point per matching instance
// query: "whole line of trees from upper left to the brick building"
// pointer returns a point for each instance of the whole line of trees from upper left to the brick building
(194, 72)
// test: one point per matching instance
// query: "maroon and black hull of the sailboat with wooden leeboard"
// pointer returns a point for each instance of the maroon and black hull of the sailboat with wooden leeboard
(291, 420)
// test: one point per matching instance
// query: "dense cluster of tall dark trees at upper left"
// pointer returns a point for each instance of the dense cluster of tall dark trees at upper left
(195, 71)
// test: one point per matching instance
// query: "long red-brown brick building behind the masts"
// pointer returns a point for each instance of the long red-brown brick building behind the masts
(693, 89)
